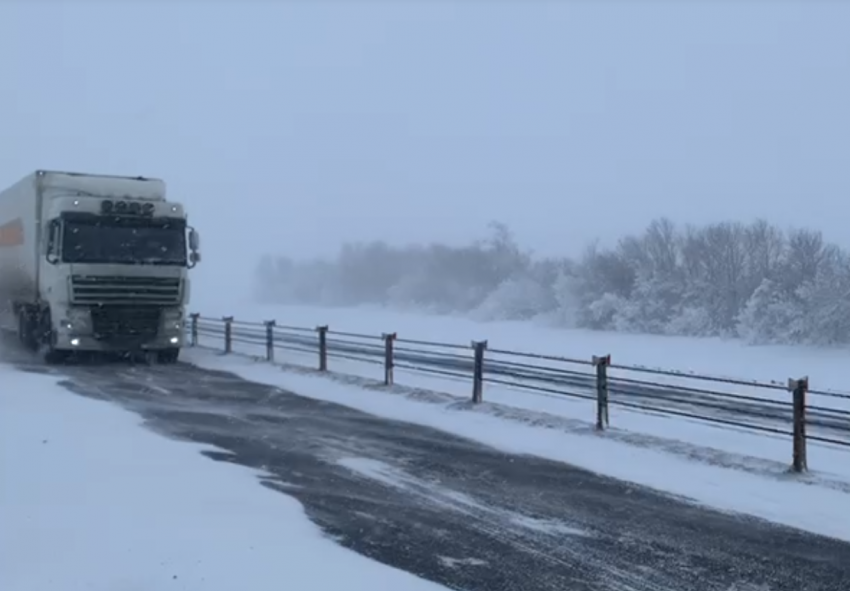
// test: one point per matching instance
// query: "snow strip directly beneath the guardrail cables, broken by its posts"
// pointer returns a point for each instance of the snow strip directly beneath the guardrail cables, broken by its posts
(699, 441)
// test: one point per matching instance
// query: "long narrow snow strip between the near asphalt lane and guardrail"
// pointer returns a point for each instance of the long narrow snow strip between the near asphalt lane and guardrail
(793, 503)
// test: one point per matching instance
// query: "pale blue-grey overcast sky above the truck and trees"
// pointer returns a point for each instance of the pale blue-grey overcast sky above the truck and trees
(293, 126)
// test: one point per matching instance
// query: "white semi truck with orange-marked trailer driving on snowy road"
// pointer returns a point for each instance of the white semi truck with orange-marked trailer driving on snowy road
(93, 262)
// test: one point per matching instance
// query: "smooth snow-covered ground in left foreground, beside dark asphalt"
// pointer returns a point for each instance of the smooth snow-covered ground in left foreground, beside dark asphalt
(90, 500)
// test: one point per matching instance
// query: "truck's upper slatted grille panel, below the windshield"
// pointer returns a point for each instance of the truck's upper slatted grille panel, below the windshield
(106, 290)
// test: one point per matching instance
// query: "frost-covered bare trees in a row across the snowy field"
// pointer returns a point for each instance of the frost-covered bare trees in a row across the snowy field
(755, 281)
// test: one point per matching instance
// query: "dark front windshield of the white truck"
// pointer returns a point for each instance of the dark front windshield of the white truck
(140, 241)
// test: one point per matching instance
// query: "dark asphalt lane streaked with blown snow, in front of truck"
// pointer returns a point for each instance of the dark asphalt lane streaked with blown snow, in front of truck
(459, 513)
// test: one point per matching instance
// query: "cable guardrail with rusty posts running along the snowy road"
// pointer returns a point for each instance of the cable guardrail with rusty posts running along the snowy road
(791, 409)
